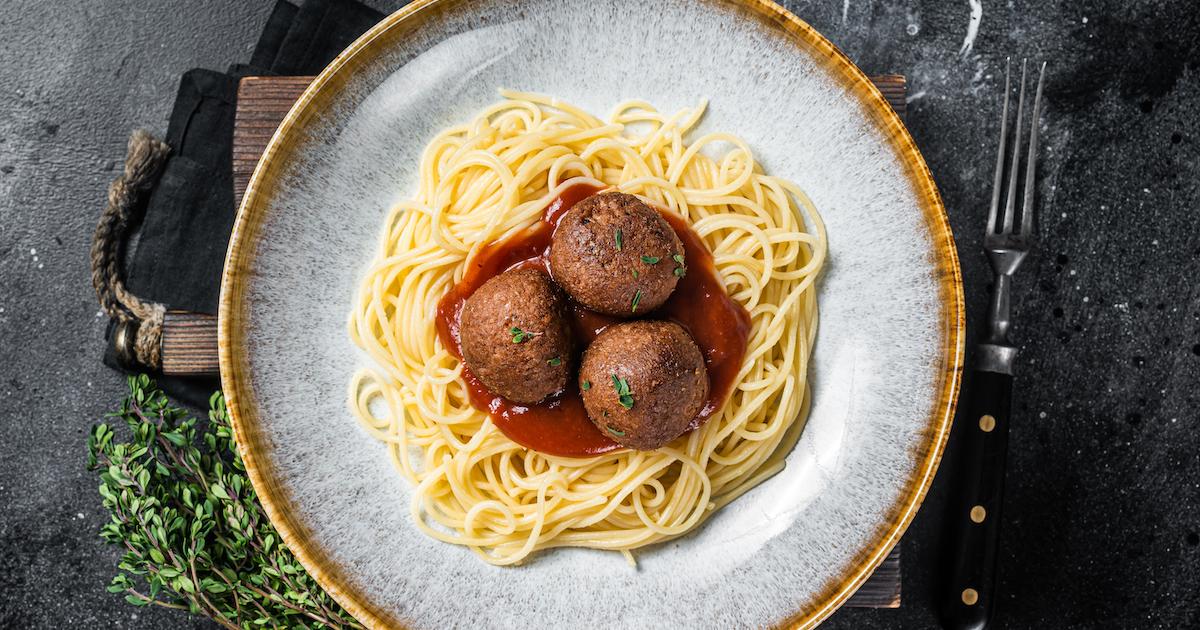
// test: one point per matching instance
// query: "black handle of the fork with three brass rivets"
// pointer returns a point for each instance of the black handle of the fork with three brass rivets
(975, 508)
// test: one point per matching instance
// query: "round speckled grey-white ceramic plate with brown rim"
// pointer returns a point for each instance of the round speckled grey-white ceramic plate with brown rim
(885, 373)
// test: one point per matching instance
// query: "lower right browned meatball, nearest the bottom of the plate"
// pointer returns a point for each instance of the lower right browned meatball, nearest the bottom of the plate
(644, 382)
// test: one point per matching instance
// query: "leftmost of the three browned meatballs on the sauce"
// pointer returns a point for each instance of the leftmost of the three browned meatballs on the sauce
(517, 338)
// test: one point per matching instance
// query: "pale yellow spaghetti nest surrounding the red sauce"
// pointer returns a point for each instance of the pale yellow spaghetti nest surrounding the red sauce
(491, 179)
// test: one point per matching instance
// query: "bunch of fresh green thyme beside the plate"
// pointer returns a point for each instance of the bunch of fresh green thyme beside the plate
(194, 533)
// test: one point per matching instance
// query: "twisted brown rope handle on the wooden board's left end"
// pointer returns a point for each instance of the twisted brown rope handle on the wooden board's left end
(139, 335)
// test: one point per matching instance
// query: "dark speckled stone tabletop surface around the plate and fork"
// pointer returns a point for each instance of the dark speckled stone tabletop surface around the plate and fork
(1103, 506)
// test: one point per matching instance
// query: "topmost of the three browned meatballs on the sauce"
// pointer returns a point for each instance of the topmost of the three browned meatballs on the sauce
(614, 254)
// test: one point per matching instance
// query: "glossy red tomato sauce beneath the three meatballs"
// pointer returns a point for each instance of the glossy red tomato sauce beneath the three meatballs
(560, 424)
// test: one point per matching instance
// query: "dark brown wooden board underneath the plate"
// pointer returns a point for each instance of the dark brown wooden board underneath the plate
(190, 347)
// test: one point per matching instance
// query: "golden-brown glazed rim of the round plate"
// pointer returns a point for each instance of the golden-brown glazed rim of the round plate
(248, 230)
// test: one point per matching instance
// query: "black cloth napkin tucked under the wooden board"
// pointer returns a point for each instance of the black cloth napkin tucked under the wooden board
(178, 254)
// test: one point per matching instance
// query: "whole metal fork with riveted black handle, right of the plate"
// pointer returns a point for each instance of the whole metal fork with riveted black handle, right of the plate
(968, 596)
